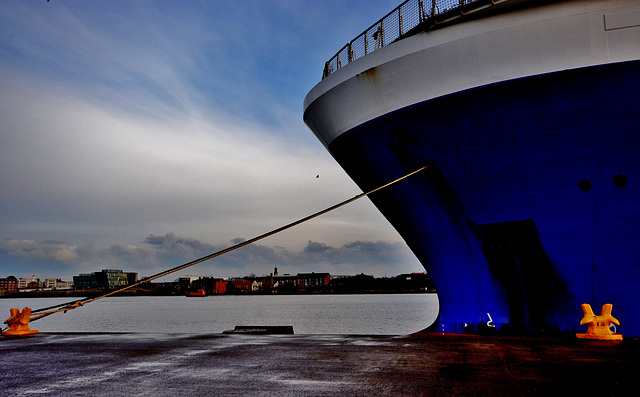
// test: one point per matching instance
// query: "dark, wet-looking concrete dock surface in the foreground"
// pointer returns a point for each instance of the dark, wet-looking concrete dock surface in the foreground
(426, 364)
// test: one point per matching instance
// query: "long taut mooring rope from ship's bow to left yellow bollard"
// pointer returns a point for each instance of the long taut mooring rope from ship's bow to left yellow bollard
(63, 307)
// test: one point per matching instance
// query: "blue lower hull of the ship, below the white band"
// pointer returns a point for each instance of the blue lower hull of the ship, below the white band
(529, 207)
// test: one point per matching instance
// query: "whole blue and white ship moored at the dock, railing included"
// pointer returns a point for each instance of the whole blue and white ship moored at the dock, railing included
(526, 113)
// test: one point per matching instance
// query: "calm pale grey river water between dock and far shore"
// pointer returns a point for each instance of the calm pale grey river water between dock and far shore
(371, 314)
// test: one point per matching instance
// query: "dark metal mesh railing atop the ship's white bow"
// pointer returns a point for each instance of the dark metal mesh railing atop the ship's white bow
(402, 21)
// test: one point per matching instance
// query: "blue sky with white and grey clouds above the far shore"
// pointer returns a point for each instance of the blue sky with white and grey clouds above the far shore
(142, 135)
